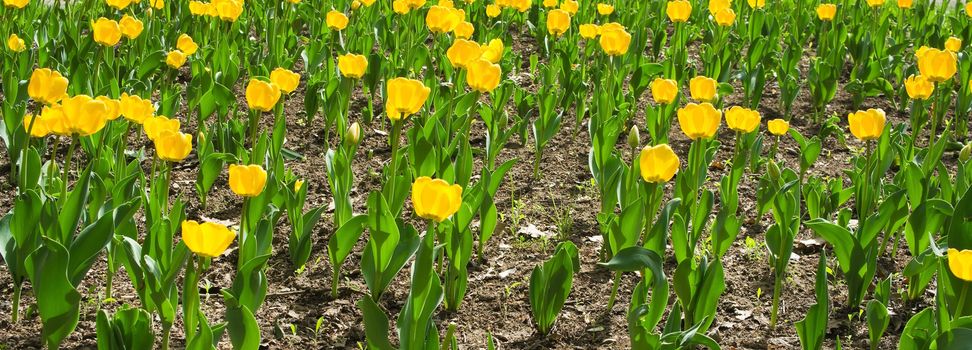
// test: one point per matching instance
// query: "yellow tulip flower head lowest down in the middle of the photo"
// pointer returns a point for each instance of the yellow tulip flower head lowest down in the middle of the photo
(435, 199)
